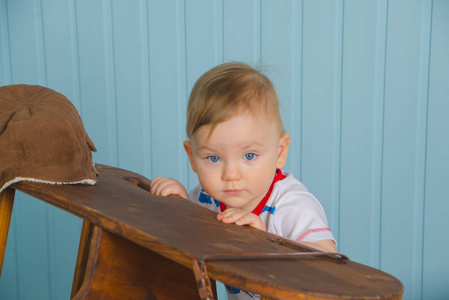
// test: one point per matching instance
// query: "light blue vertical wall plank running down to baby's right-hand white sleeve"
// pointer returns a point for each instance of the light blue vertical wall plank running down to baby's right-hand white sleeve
(320, 104)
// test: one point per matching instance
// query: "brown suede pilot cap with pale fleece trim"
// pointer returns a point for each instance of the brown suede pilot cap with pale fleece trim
(42, 138)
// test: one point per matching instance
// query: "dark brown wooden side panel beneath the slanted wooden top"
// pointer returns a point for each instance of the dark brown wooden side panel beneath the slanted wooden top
(120, 269)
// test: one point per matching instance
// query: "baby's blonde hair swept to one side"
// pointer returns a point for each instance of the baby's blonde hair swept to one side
(229, 89)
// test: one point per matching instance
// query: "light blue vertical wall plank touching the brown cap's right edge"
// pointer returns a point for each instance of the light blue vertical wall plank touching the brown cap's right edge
(97, 77)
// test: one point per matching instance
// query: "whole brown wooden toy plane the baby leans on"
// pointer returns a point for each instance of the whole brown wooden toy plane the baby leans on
(135, 245)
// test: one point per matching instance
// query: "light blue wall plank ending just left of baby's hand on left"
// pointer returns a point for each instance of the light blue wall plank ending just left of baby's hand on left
(131, 84)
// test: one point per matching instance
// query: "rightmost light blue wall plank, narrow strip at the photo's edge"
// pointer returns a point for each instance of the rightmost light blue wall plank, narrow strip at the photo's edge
(436, 264)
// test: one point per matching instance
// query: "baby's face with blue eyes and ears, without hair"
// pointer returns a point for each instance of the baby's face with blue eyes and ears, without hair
(236, 163)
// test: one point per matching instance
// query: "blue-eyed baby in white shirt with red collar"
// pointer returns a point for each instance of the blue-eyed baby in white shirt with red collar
(237, 146)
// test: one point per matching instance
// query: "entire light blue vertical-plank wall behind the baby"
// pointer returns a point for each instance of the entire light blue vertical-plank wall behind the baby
(364, 87)
